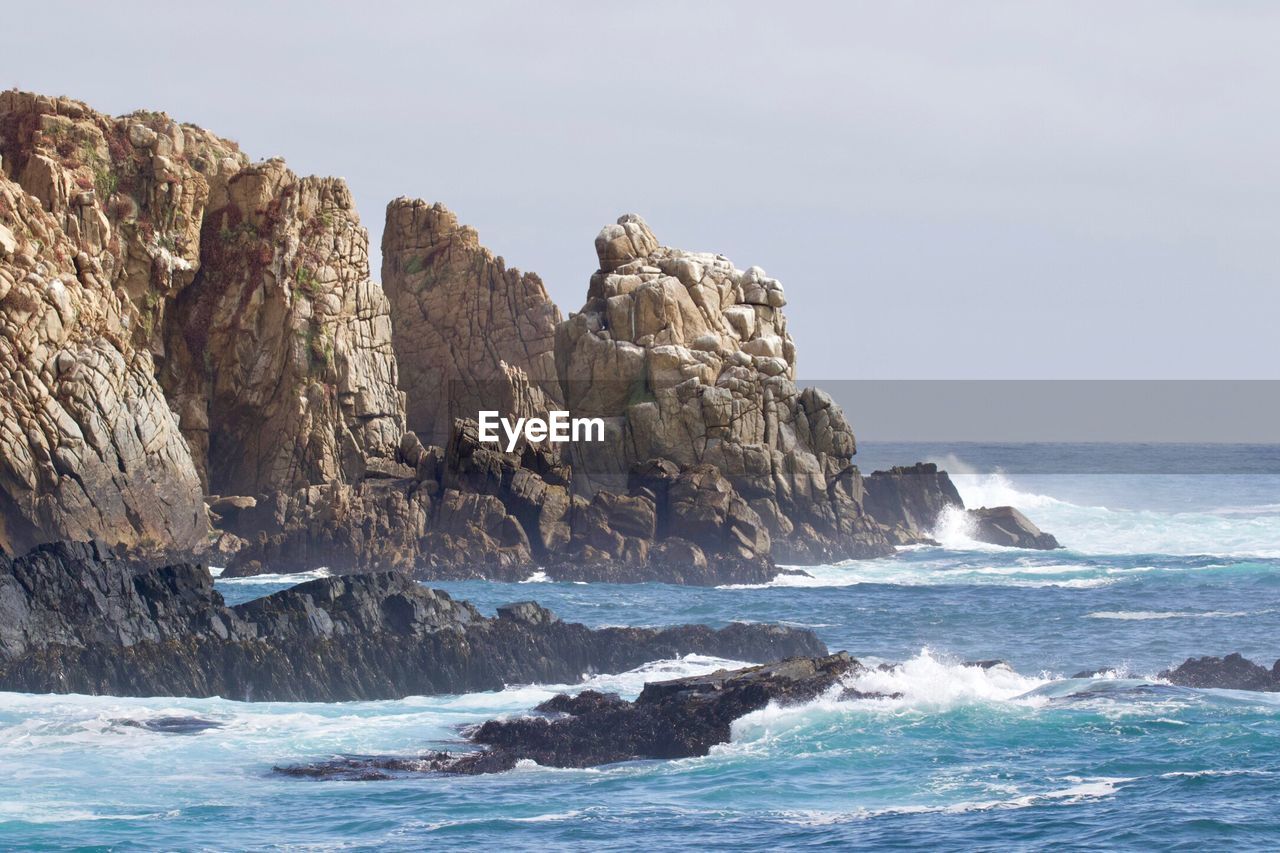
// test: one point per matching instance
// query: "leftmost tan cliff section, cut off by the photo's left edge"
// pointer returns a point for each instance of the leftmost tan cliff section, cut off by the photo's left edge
(99, 227)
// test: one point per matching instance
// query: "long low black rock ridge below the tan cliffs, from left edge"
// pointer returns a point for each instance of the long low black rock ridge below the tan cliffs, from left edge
(76, 621)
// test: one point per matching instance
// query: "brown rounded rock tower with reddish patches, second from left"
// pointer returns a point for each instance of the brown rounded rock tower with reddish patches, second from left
(281, 352)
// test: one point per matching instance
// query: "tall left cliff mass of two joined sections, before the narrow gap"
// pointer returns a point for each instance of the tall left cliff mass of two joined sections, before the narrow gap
(175, 321)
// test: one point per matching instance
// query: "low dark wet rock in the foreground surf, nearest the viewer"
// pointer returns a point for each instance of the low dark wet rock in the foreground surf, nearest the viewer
(678, 719)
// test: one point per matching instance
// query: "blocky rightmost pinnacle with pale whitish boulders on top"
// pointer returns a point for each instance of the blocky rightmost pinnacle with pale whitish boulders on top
(688, 359)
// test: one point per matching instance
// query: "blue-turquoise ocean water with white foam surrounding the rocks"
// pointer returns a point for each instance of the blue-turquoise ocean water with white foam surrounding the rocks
(1172, 551)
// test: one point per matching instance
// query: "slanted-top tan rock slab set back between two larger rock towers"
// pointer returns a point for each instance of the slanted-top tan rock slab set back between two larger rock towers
(464, 323)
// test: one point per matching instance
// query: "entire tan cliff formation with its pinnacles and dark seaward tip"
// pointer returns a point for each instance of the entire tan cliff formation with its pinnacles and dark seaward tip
(177, 323)
